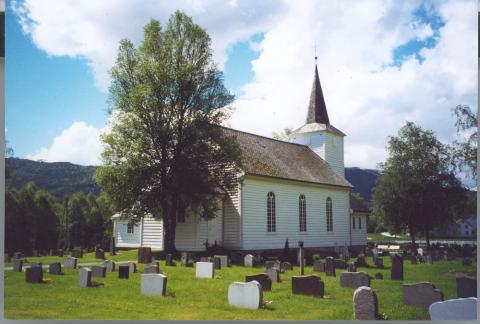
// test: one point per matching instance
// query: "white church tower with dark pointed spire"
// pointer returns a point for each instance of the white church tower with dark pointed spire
(318, 134)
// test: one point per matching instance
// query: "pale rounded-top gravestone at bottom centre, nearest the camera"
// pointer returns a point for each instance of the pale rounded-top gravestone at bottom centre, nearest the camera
(245, 294)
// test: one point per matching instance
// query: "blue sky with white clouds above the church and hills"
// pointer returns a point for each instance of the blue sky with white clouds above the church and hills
(388, 61)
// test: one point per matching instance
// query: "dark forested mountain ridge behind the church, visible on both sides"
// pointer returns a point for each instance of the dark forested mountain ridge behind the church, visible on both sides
(64, 178)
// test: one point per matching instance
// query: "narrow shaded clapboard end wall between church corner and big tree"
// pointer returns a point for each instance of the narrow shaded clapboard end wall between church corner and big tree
(232, 223)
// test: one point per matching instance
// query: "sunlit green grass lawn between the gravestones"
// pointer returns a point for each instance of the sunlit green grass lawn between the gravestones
(189, 298)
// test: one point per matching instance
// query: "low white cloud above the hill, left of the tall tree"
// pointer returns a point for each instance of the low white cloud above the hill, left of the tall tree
(80, 144)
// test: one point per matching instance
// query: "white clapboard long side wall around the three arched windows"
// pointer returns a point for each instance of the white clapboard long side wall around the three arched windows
(255, 235)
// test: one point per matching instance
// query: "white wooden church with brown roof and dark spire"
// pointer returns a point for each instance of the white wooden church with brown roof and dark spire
(295, 190)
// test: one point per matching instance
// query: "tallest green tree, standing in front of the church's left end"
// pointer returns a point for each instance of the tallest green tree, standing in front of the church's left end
(165, 154)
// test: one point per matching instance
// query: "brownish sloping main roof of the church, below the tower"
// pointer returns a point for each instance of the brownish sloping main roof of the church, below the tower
(269, 157)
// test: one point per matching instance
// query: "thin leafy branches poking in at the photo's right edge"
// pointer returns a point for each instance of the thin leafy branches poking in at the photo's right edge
(465, 152)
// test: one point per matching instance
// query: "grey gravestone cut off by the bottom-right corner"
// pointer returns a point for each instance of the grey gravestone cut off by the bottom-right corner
(462, 309)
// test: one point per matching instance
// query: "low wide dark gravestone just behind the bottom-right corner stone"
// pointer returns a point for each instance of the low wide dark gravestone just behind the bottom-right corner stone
(421, 294)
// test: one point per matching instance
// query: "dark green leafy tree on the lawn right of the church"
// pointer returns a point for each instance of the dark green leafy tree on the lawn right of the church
(418, 188)
